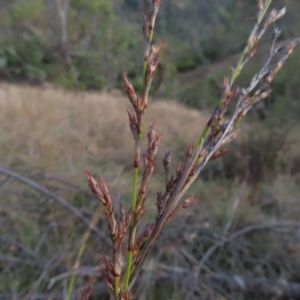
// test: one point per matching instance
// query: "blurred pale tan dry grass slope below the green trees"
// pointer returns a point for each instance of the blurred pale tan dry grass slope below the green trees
(65, 132)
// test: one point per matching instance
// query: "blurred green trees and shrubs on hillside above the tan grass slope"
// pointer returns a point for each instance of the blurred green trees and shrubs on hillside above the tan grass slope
(86, 44)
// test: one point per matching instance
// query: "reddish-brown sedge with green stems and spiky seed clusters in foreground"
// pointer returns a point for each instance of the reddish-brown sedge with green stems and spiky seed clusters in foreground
(121, 269)
